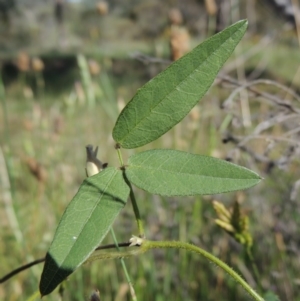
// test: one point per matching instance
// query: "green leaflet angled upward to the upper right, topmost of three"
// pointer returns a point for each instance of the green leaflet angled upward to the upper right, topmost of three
(167, 99)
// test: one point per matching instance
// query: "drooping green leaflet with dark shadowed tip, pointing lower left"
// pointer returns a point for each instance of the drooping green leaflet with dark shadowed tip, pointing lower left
(83, 225)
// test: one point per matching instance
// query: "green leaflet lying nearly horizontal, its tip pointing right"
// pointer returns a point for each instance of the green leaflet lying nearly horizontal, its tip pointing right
(172, 172)
